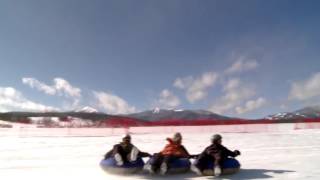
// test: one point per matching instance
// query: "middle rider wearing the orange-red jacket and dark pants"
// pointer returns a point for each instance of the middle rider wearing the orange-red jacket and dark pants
(172, 151)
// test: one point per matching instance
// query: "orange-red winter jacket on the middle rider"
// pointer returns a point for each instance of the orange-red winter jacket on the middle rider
(174, 149)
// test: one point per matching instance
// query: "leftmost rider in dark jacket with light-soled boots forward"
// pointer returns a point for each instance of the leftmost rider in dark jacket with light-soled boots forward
(125, 152)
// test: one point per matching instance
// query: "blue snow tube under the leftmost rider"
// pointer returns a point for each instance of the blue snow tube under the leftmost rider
(109, 165)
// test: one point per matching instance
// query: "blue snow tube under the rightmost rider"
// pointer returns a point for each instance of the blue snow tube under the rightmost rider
(229, 166)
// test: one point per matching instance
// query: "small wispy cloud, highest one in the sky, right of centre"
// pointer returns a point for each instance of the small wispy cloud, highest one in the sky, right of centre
(242, 65)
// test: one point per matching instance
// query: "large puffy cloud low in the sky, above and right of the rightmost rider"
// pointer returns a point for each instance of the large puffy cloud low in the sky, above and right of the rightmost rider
(235, 92)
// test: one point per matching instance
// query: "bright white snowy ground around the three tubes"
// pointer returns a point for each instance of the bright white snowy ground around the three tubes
(290, 154)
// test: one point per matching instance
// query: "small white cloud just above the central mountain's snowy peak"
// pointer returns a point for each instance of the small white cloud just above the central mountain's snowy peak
(168, 99)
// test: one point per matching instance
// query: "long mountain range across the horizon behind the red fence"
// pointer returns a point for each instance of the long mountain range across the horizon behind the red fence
(89, 116)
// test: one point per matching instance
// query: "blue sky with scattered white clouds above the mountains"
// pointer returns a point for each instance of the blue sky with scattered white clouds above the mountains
(239, 58)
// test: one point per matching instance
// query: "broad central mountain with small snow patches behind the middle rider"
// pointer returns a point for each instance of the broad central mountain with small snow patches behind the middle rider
(169, 114)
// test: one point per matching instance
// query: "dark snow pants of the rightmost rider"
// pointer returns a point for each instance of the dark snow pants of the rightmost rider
(203, 161)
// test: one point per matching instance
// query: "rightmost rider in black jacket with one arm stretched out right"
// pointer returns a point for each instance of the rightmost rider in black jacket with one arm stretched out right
(215, 153)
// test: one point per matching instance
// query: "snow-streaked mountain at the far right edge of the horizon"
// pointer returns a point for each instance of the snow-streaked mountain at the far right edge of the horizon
(305, 113)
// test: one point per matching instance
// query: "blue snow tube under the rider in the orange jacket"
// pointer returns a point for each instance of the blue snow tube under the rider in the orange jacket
(180, 165)
